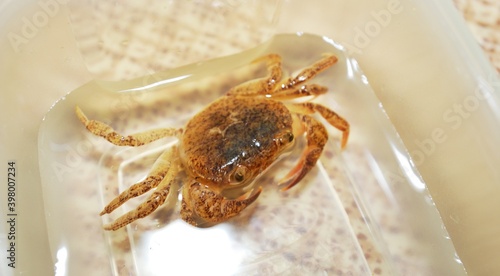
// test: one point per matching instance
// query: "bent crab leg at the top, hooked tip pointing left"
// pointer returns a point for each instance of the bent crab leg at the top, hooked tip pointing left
(261, 86)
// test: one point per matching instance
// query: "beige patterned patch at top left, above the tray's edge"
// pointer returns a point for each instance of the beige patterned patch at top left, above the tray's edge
(158, 35)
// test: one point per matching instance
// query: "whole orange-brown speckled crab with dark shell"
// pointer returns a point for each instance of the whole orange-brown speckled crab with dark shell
(226, 146)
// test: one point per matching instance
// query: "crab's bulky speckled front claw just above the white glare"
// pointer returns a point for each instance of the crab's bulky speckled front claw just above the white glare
(202, 206)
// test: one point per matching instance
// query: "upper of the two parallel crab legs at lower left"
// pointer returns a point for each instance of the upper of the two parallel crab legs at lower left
(160, 169)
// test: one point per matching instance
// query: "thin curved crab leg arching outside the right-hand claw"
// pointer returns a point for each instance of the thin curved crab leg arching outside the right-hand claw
(329, 115)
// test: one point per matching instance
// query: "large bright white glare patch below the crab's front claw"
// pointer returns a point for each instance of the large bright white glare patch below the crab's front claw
(180, 249)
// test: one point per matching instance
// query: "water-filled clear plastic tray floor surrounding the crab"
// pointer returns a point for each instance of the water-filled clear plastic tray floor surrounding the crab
(362, 210)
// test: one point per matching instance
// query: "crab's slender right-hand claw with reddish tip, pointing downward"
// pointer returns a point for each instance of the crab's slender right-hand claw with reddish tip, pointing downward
(317, 137)
